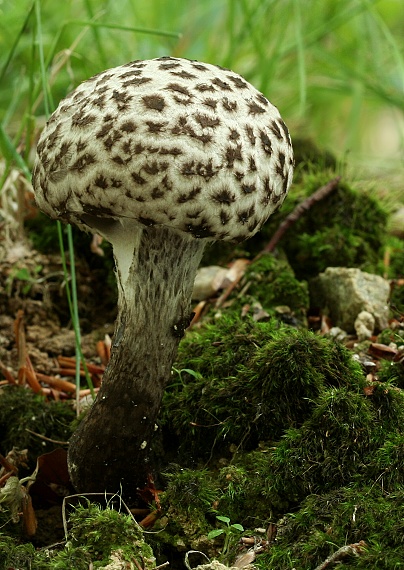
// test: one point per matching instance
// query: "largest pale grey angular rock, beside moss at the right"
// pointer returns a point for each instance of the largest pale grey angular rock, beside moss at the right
(343, 293)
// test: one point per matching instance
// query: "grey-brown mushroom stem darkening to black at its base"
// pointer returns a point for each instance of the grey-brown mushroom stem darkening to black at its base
(111, 448)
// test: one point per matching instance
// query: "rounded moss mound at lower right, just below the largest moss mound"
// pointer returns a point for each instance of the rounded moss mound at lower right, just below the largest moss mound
(328, 451)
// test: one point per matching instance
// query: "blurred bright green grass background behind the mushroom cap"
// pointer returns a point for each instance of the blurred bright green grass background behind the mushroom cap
(335, 68)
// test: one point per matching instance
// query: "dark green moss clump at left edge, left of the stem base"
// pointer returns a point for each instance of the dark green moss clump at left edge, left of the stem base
(22, 410)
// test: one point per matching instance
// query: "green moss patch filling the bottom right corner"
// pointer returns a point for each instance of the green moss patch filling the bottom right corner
(327, 522)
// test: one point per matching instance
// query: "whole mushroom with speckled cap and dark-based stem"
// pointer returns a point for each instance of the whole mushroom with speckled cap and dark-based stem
(159, 157)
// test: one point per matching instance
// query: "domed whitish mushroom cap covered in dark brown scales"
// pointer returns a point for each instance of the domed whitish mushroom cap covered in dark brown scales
(167, 141)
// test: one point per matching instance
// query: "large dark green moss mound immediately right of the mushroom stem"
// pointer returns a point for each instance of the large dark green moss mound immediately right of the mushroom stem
(255, 395)
